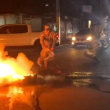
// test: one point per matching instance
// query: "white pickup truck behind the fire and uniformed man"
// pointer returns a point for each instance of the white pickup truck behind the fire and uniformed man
(19, 35)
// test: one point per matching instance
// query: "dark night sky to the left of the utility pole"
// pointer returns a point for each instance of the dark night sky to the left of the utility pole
(31, 6)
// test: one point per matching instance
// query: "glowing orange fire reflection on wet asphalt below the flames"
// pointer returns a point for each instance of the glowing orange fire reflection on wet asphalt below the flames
(29, 96)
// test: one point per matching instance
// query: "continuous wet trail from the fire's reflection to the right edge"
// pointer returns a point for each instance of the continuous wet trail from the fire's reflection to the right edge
(29, 95)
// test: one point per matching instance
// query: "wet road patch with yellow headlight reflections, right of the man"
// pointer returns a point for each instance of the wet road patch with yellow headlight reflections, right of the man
(88, 78)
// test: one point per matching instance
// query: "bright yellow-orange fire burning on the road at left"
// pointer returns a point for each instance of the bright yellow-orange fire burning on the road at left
(12, 69)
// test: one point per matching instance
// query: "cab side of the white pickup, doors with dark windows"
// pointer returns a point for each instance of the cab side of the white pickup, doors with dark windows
(14, 35)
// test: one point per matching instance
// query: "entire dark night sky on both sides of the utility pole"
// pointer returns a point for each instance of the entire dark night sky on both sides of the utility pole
(68, 7)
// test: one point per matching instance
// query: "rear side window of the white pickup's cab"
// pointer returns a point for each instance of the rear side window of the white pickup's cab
(20, 29)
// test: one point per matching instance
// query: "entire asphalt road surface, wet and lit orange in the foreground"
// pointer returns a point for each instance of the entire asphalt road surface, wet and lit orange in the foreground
(79, 91)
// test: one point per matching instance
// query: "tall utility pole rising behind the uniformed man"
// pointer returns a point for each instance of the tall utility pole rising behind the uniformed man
(58, 18)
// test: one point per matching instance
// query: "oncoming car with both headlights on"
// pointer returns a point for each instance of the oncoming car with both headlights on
(83, 37)
